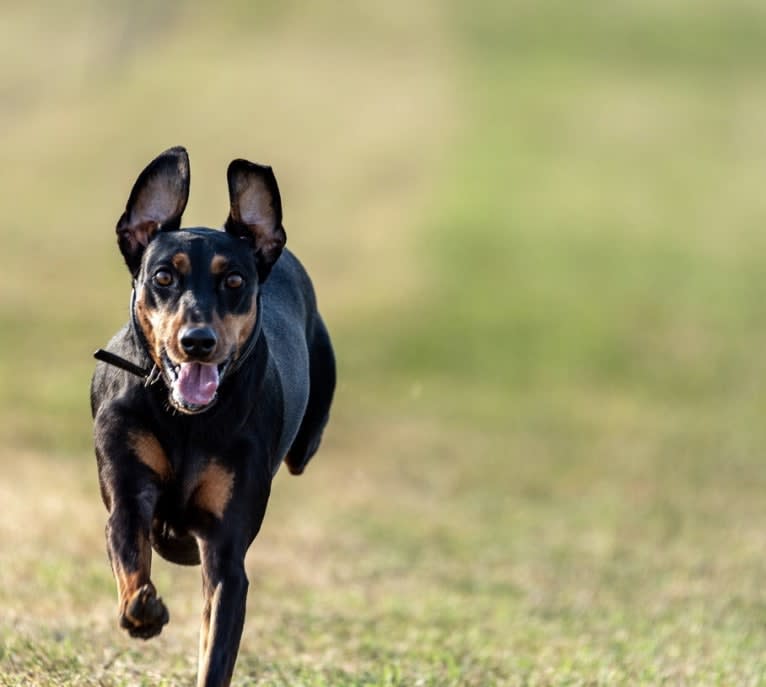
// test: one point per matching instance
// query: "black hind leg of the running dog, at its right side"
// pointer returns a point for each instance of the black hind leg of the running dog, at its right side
(322, 376)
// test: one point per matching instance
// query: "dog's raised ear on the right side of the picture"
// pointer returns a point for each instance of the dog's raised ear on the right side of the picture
(256, 212)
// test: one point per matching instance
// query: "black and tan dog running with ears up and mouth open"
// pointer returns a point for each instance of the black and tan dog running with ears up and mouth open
(224, 370)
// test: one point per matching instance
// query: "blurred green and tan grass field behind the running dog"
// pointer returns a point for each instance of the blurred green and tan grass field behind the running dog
(537, 234)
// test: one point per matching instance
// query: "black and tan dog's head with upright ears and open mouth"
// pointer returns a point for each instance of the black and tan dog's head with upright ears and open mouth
(196, 289)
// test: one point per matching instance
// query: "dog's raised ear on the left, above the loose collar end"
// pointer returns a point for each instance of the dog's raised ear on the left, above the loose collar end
(156, 202)
